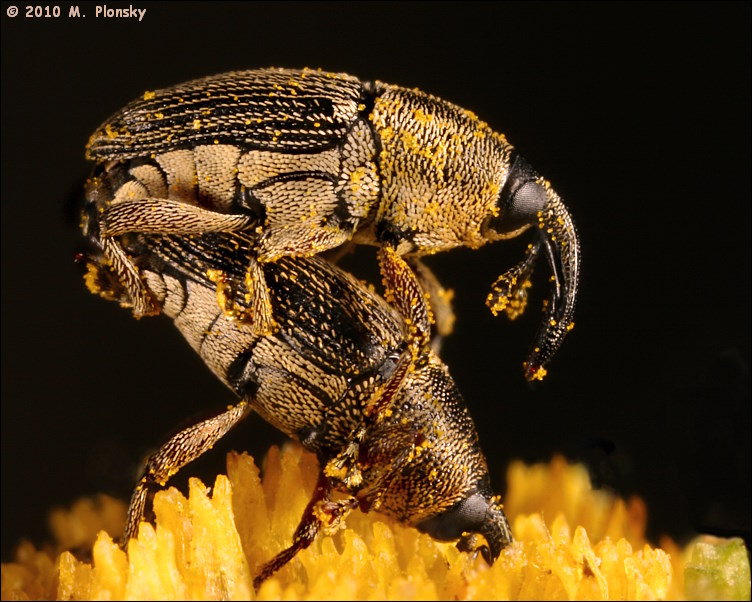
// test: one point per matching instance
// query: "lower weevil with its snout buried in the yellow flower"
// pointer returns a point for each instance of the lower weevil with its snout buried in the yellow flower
(350, 376)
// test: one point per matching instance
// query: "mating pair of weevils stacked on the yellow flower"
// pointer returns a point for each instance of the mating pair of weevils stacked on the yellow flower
(207, 203)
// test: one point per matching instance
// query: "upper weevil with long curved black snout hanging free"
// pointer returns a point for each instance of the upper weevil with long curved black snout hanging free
(307, 161)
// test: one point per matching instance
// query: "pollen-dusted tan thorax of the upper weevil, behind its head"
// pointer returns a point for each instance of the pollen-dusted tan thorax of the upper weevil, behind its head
(442, 170)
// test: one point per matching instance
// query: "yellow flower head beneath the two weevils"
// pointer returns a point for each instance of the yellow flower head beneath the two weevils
(571, 542)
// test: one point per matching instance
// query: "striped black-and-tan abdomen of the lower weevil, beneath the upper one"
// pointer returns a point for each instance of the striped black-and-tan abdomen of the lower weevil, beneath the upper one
(334, 338)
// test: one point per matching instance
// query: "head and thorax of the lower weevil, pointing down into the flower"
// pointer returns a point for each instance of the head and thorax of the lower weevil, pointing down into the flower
(444, 487)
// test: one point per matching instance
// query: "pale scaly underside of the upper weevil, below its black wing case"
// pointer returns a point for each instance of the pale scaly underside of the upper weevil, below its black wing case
(301, 203)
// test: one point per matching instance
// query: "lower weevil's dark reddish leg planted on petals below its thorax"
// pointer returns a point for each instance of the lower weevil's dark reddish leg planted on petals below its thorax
(321, 514)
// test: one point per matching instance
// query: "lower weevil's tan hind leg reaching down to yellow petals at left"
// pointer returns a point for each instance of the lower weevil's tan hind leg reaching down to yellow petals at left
(183, 448)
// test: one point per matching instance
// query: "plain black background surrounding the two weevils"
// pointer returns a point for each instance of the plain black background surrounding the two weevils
(637, 113)
